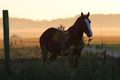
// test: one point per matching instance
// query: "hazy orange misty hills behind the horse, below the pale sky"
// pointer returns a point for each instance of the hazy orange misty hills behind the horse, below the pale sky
(102, 25)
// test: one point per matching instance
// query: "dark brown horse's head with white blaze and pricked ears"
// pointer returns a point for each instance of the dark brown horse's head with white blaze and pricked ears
(84, 23)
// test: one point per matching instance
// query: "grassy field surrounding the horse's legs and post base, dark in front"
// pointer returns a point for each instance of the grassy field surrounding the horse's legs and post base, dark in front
(26, 64)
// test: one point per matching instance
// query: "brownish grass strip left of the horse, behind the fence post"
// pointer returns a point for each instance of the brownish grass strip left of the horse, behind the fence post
(22, 52)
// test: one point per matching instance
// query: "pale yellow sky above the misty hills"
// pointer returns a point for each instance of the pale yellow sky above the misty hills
(52, 9)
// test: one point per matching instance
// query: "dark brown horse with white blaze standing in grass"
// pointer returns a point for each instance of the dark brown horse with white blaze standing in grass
(50, 40)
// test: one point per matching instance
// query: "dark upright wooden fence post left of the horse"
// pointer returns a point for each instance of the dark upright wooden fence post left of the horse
(6, 41)
